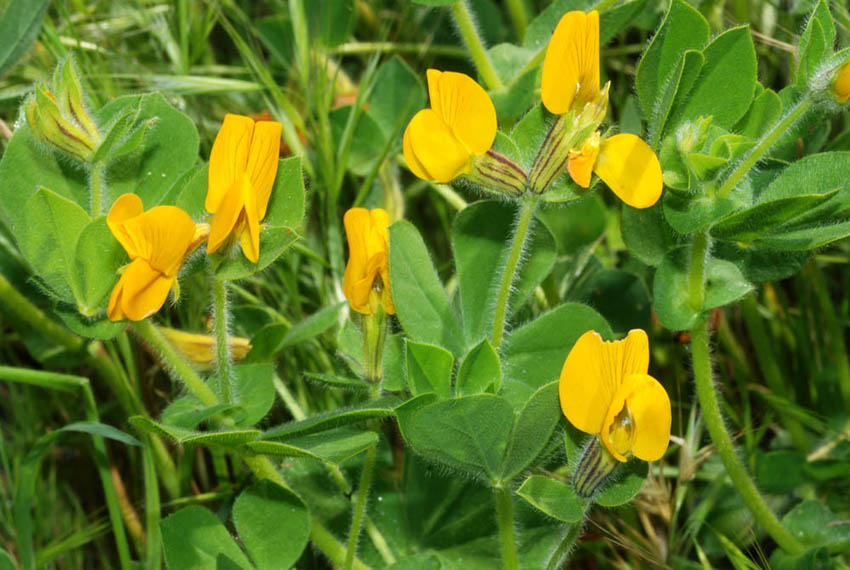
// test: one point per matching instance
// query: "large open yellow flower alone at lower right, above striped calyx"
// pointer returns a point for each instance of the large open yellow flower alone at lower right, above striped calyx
(605, 390)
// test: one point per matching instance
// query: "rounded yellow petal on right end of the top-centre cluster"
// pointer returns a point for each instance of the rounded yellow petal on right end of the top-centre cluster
(630, 168)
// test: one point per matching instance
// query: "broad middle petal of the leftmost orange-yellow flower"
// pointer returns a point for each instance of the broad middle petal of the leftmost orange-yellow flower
(167, 232)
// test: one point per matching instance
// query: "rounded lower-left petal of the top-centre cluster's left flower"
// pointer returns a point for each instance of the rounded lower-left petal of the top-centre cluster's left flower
(441, 155)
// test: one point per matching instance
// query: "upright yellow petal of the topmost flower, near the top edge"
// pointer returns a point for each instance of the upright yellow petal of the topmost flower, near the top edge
(571, 66)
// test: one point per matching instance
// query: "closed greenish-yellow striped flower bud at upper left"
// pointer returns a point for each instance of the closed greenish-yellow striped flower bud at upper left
(58, 117)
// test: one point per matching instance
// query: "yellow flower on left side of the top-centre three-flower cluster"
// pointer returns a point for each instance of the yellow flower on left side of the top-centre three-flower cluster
(440, 142)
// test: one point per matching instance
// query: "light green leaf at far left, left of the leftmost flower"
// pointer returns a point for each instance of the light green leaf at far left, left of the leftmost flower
(47, 231)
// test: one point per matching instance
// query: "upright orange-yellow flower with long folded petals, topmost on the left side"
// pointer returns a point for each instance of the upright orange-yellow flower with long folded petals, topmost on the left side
(243, 166)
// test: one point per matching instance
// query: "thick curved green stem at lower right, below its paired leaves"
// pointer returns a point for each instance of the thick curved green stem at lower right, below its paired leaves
(725, 448)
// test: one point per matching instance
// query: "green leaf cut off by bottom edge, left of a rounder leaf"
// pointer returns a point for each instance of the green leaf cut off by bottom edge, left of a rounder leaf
(194, 539)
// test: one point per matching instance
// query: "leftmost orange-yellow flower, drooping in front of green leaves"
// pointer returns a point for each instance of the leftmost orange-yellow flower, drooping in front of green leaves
(157, 241)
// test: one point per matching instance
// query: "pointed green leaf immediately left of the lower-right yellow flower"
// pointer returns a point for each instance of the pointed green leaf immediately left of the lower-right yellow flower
(533, 429)
